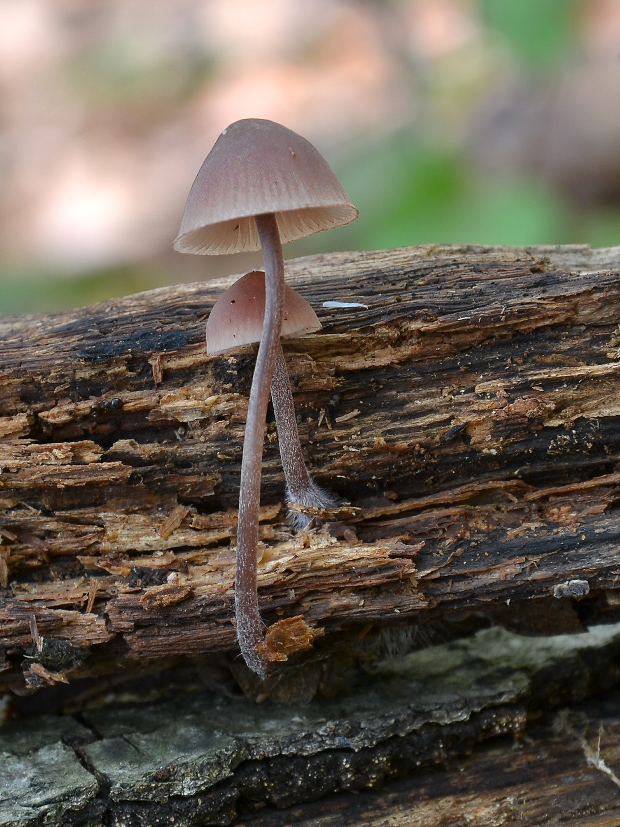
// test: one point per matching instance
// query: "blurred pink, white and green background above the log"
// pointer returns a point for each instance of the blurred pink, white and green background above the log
(482, 121)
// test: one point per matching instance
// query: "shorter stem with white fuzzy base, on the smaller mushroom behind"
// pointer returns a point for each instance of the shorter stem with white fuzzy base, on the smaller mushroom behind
(300, 487)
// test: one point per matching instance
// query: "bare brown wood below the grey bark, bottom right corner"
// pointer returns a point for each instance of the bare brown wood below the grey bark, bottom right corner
(563, 775)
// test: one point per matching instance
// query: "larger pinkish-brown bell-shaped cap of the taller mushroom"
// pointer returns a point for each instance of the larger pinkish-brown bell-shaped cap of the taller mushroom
(258, 167)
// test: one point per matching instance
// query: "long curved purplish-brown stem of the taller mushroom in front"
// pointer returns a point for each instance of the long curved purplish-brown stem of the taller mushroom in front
(249, 624)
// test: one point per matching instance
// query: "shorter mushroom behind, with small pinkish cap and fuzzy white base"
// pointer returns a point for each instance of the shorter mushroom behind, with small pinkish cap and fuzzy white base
(237, 320)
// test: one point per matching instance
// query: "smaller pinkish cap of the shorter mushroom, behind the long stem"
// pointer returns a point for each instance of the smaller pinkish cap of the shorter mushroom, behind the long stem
(237, 316)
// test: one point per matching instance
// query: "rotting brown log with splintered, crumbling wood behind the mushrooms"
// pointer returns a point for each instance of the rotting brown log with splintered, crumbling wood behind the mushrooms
(467, 406)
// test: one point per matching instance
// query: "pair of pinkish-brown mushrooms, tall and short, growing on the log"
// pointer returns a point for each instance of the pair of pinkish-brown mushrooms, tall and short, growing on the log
(261, 185)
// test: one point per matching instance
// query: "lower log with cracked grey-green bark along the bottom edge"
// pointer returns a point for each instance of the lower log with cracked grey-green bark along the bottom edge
(182, 754)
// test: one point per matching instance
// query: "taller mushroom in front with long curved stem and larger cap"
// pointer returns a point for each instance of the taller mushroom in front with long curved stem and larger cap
(260, 185)
